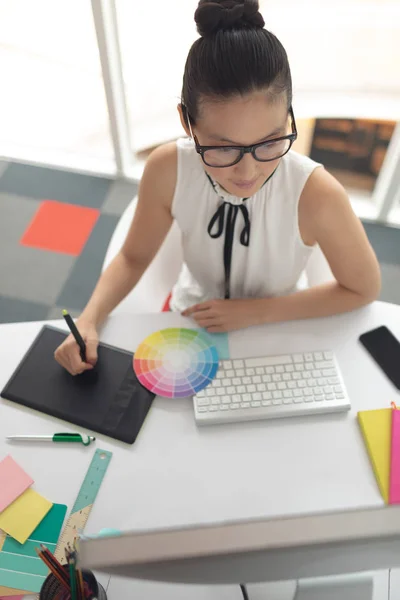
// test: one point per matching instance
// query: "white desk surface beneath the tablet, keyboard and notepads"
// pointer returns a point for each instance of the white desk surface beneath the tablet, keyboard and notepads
(178, 474)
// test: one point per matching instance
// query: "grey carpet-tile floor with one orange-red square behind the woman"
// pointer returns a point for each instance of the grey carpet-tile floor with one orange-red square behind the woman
(55, 227)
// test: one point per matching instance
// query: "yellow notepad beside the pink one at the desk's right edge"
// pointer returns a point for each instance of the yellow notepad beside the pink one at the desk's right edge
(376, 429)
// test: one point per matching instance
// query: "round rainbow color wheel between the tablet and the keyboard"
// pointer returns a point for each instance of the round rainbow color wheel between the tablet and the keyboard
(175, 362)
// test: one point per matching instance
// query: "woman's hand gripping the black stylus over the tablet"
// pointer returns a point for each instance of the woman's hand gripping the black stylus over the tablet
(68, 353)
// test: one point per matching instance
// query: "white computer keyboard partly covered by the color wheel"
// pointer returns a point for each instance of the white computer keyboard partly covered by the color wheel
(272, 387)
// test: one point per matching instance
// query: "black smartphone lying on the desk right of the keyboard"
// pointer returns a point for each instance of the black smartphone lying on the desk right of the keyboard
(385, 350)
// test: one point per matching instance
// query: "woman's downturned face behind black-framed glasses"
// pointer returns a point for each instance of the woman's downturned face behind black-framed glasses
(242, 121)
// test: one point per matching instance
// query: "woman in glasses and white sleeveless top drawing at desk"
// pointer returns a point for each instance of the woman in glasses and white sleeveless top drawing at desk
(250, 210)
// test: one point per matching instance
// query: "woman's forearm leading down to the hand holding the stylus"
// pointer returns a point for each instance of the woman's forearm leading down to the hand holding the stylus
(114, 284)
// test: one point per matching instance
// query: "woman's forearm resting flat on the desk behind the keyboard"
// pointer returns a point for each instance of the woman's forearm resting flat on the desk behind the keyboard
(320, 301)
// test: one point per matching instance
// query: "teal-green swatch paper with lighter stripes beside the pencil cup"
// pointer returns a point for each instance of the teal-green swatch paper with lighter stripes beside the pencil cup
(21, 570)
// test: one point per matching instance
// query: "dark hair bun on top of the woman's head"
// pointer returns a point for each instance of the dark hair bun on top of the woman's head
(219, 15)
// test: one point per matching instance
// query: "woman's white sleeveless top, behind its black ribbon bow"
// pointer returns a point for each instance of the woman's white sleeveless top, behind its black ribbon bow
(272, 263)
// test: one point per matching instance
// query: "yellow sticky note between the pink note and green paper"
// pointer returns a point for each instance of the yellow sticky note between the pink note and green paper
(21, 517)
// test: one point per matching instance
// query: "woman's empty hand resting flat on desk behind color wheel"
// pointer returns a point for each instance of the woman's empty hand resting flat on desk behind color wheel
(217, 316)
